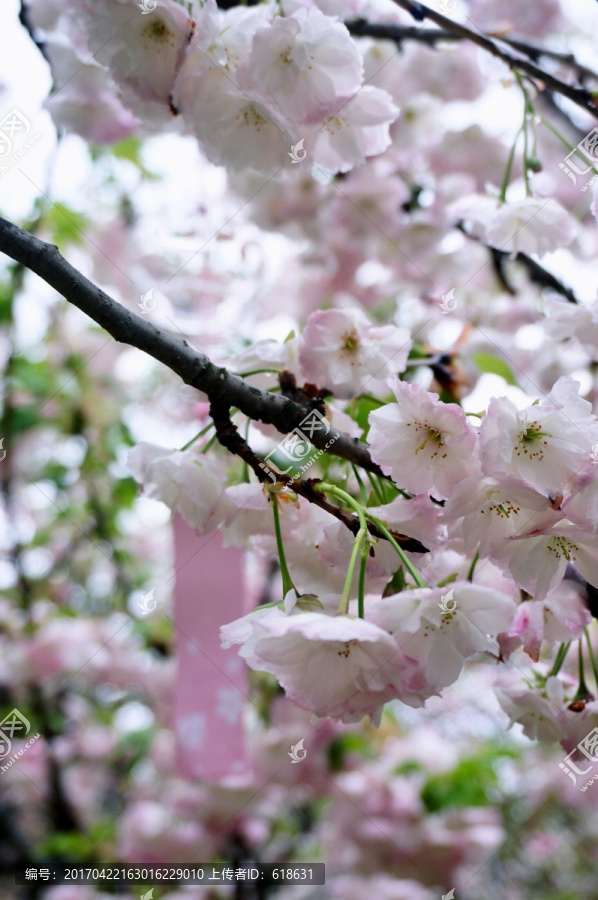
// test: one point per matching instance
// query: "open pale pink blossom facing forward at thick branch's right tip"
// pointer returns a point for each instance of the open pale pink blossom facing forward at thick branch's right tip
(424, 444)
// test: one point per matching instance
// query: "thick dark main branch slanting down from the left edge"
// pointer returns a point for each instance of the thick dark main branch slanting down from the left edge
(194, 367)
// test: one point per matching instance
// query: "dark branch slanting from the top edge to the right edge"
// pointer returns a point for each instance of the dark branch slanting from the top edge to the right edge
(578, 95)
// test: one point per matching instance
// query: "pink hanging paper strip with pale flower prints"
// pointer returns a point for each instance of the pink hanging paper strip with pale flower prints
(211, 683)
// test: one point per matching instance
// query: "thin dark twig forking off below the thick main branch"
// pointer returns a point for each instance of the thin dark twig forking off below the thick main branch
(228, 435)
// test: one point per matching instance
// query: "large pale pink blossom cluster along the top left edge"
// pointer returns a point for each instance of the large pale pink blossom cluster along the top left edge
(250, 84)
